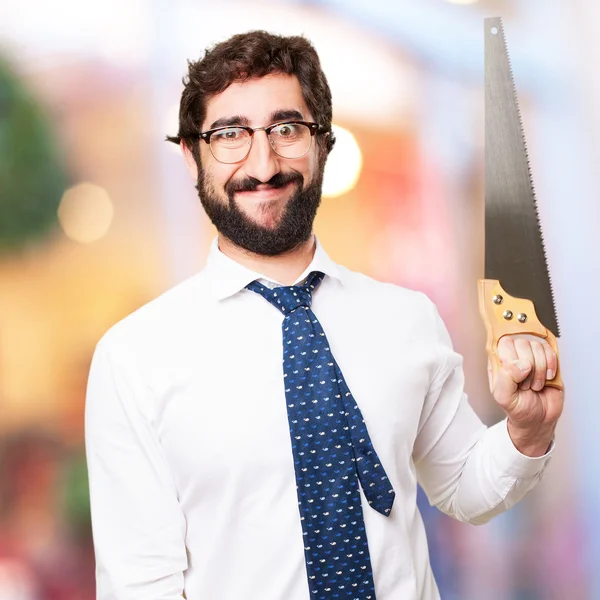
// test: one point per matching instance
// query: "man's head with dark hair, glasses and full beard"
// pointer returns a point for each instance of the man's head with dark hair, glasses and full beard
(266, 200)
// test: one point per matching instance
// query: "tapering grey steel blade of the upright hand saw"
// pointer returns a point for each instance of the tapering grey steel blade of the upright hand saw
(514, 244)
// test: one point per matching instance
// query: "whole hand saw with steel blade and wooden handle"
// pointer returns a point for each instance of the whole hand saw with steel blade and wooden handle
(516, 294)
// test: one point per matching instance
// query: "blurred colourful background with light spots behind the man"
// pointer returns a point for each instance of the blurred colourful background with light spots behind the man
(98, 216)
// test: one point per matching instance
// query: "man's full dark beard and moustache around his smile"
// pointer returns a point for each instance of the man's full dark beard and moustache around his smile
(293, 229)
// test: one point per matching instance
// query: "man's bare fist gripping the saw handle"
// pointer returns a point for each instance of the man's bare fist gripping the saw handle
(532, 407)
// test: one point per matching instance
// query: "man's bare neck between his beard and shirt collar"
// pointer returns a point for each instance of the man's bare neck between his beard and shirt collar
(283, 268)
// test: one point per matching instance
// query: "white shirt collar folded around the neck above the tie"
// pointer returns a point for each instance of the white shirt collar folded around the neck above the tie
(226, 277)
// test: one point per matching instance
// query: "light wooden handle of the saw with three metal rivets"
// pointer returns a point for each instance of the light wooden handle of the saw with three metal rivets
(503, 315)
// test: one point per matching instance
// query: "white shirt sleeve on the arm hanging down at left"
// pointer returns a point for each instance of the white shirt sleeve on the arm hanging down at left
(137, 522)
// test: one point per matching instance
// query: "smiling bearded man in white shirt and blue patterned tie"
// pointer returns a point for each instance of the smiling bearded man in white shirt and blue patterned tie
(258, 431)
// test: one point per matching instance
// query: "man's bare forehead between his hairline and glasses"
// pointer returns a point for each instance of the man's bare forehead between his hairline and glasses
(257, 100)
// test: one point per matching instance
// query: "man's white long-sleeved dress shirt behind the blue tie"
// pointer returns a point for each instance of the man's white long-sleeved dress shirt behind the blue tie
(192, 482)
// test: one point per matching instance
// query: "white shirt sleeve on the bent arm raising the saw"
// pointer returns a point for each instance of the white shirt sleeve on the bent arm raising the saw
(469, 471)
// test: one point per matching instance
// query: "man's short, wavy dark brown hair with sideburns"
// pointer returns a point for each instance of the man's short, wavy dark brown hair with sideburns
(248, 56)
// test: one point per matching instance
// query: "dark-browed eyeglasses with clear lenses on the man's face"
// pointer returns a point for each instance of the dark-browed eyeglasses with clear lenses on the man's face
(290, 139)
